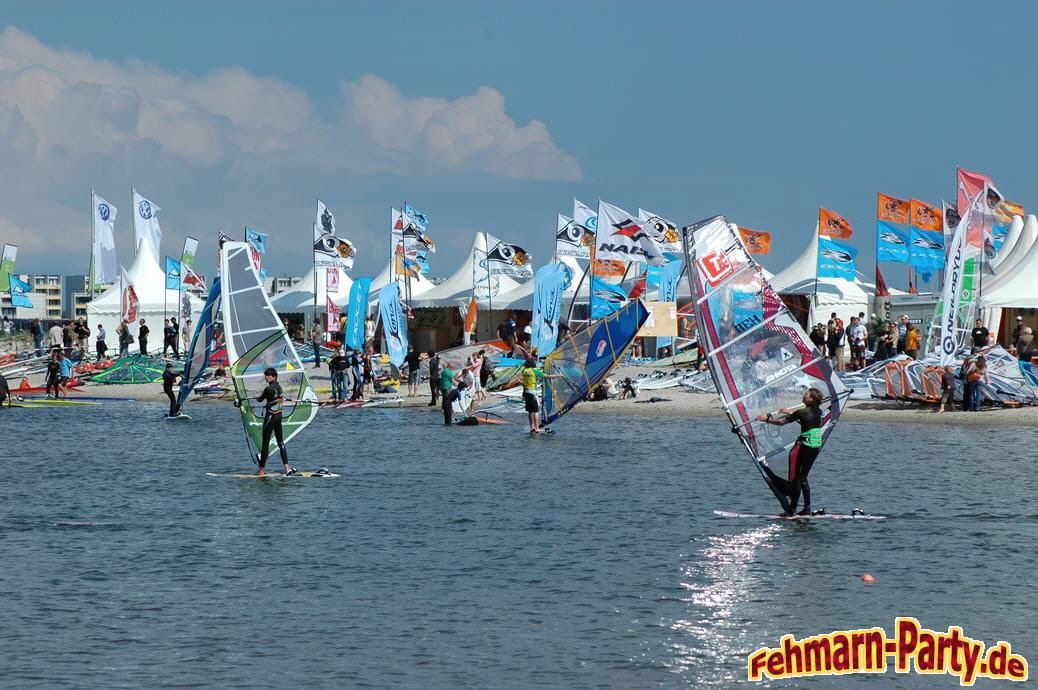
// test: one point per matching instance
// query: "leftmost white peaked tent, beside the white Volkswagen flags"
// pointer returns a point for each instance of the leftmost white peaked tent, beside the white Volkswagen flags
(156, 303)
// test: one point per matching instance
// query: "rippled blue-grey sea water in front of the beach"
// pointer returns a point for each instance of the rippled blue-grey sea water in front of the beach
(482, 559)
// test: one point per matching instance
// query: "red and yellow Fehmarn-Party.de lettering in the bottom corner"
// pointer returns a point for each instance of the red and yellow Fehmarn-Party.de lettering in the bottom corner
(912, 649)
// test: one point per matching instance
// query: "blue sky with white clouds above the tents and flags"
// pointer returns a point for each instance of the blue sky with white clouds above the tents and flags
(236, 114)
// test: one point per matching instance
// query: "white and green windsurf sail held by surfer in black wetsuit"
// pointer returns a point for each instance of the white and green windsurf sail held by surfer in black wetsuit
(256, 341)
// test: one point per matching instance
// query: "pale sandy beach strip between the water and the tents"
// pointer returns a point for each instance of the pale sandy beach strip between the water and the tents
(676, 402)
